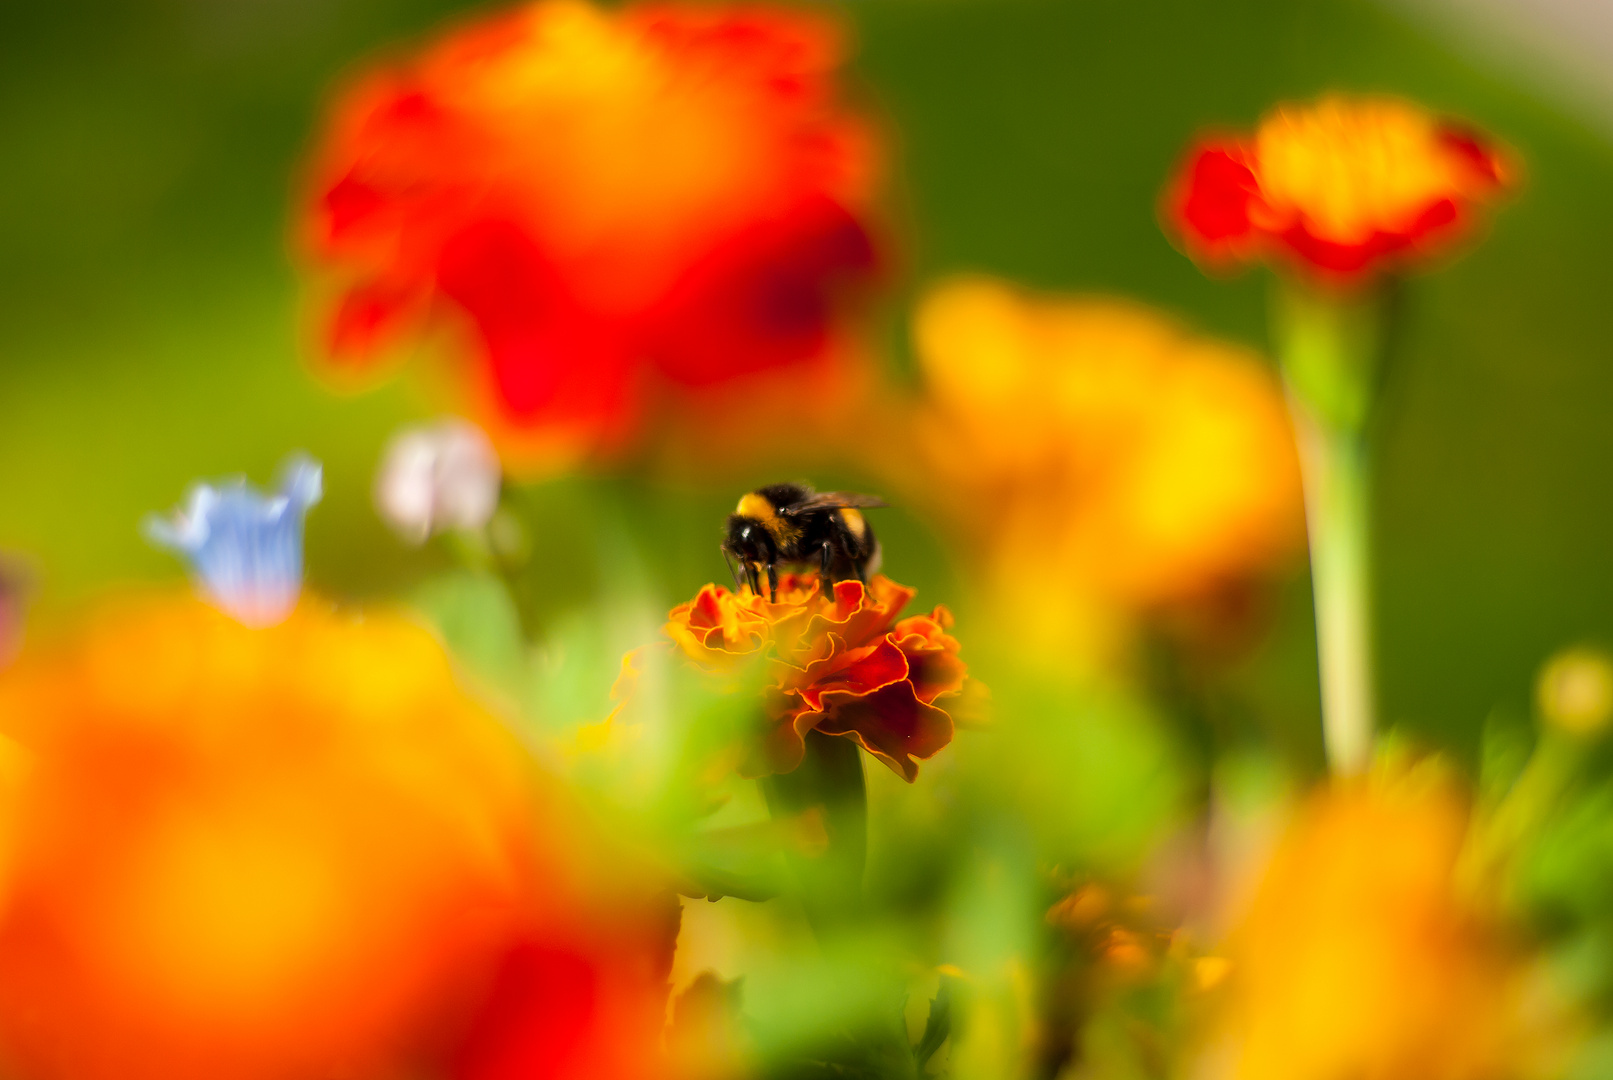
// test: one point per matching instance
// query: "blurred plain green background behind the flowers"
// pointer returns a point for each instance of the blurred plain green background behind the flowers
(151, 328)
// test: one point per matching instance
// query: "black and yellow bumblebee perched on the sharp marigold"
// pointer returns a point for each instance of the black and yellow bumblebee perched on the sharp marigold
(793, 525)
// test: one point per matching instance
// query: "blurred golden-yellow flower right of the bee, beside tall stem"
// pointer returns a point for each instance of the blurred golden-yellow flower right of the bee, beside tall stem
(1099, 459)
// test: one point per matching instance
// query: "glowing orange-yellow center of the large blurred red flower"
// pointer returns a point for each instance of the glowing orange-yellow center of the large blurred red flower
(623, 144)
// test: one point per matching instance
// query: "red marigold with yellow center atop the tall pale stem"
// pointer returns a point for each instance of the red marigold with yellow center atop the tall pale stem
(1344, 188)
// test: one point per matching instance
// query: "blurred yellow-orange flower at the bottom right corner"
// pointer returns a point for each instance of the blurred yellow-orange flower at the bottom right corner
(1359, 955)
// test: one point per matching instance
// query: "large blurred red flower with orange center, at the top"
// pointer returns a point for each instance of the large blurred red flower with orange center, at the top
(607, 197)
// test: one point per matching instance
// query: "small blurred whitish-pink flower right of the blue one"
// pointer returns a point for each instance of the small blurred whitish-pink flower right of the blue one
(438, 478)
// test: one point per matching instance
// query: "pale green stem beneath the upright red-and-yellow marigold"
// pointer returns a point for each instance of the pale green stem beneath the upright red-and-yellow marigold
(1328, 346)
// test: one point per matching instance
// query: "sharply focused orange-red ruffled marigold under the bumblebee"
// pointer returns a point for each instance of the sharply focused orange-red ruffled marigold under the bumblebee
(843, 665)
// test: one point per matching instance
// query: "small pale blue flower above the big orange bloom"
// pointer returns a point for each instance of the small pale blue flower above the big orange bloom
(246, 547)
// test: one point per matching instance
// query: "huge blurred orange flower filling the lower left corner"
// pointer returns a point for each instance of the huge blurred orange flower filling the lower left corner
(249, 854)
